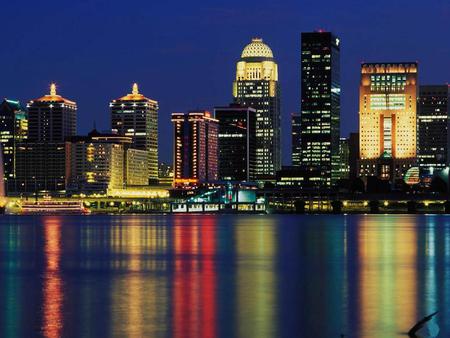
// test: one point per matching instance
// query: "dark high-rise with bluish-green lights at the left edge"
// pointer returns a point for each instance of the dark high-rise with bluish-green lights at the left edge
(13, 130)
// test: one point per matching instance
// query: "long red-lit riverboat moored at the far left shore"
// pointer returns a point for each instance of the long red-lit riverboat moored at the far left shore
(50, 207)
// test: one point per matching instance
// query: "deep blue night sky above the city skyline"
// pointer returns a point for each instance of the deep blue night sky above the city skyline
(183, 53)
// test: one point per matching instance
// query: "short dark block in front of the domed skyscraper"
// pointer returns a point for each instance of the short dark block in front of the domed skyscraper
(237, 142)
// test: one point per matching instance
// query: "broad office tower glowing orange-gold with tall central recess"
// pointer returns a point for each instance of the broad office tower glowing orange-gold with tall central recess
(387, 119)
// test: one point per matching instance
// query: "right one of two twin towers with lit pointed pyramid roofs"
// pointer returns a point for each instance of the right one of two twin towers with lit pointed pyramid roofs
(137, 116)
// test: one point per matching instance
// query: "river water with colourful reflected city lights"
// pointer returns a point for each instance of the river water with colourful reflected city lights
(222, 276)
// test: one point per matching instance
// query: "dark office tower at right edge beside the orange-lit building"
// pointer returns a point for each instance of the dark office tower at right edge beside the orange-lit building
(433, 133)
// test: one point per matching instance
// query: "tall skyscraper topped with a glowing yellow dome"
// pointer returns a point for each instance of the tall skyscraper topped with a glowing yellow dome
(256, 85)
